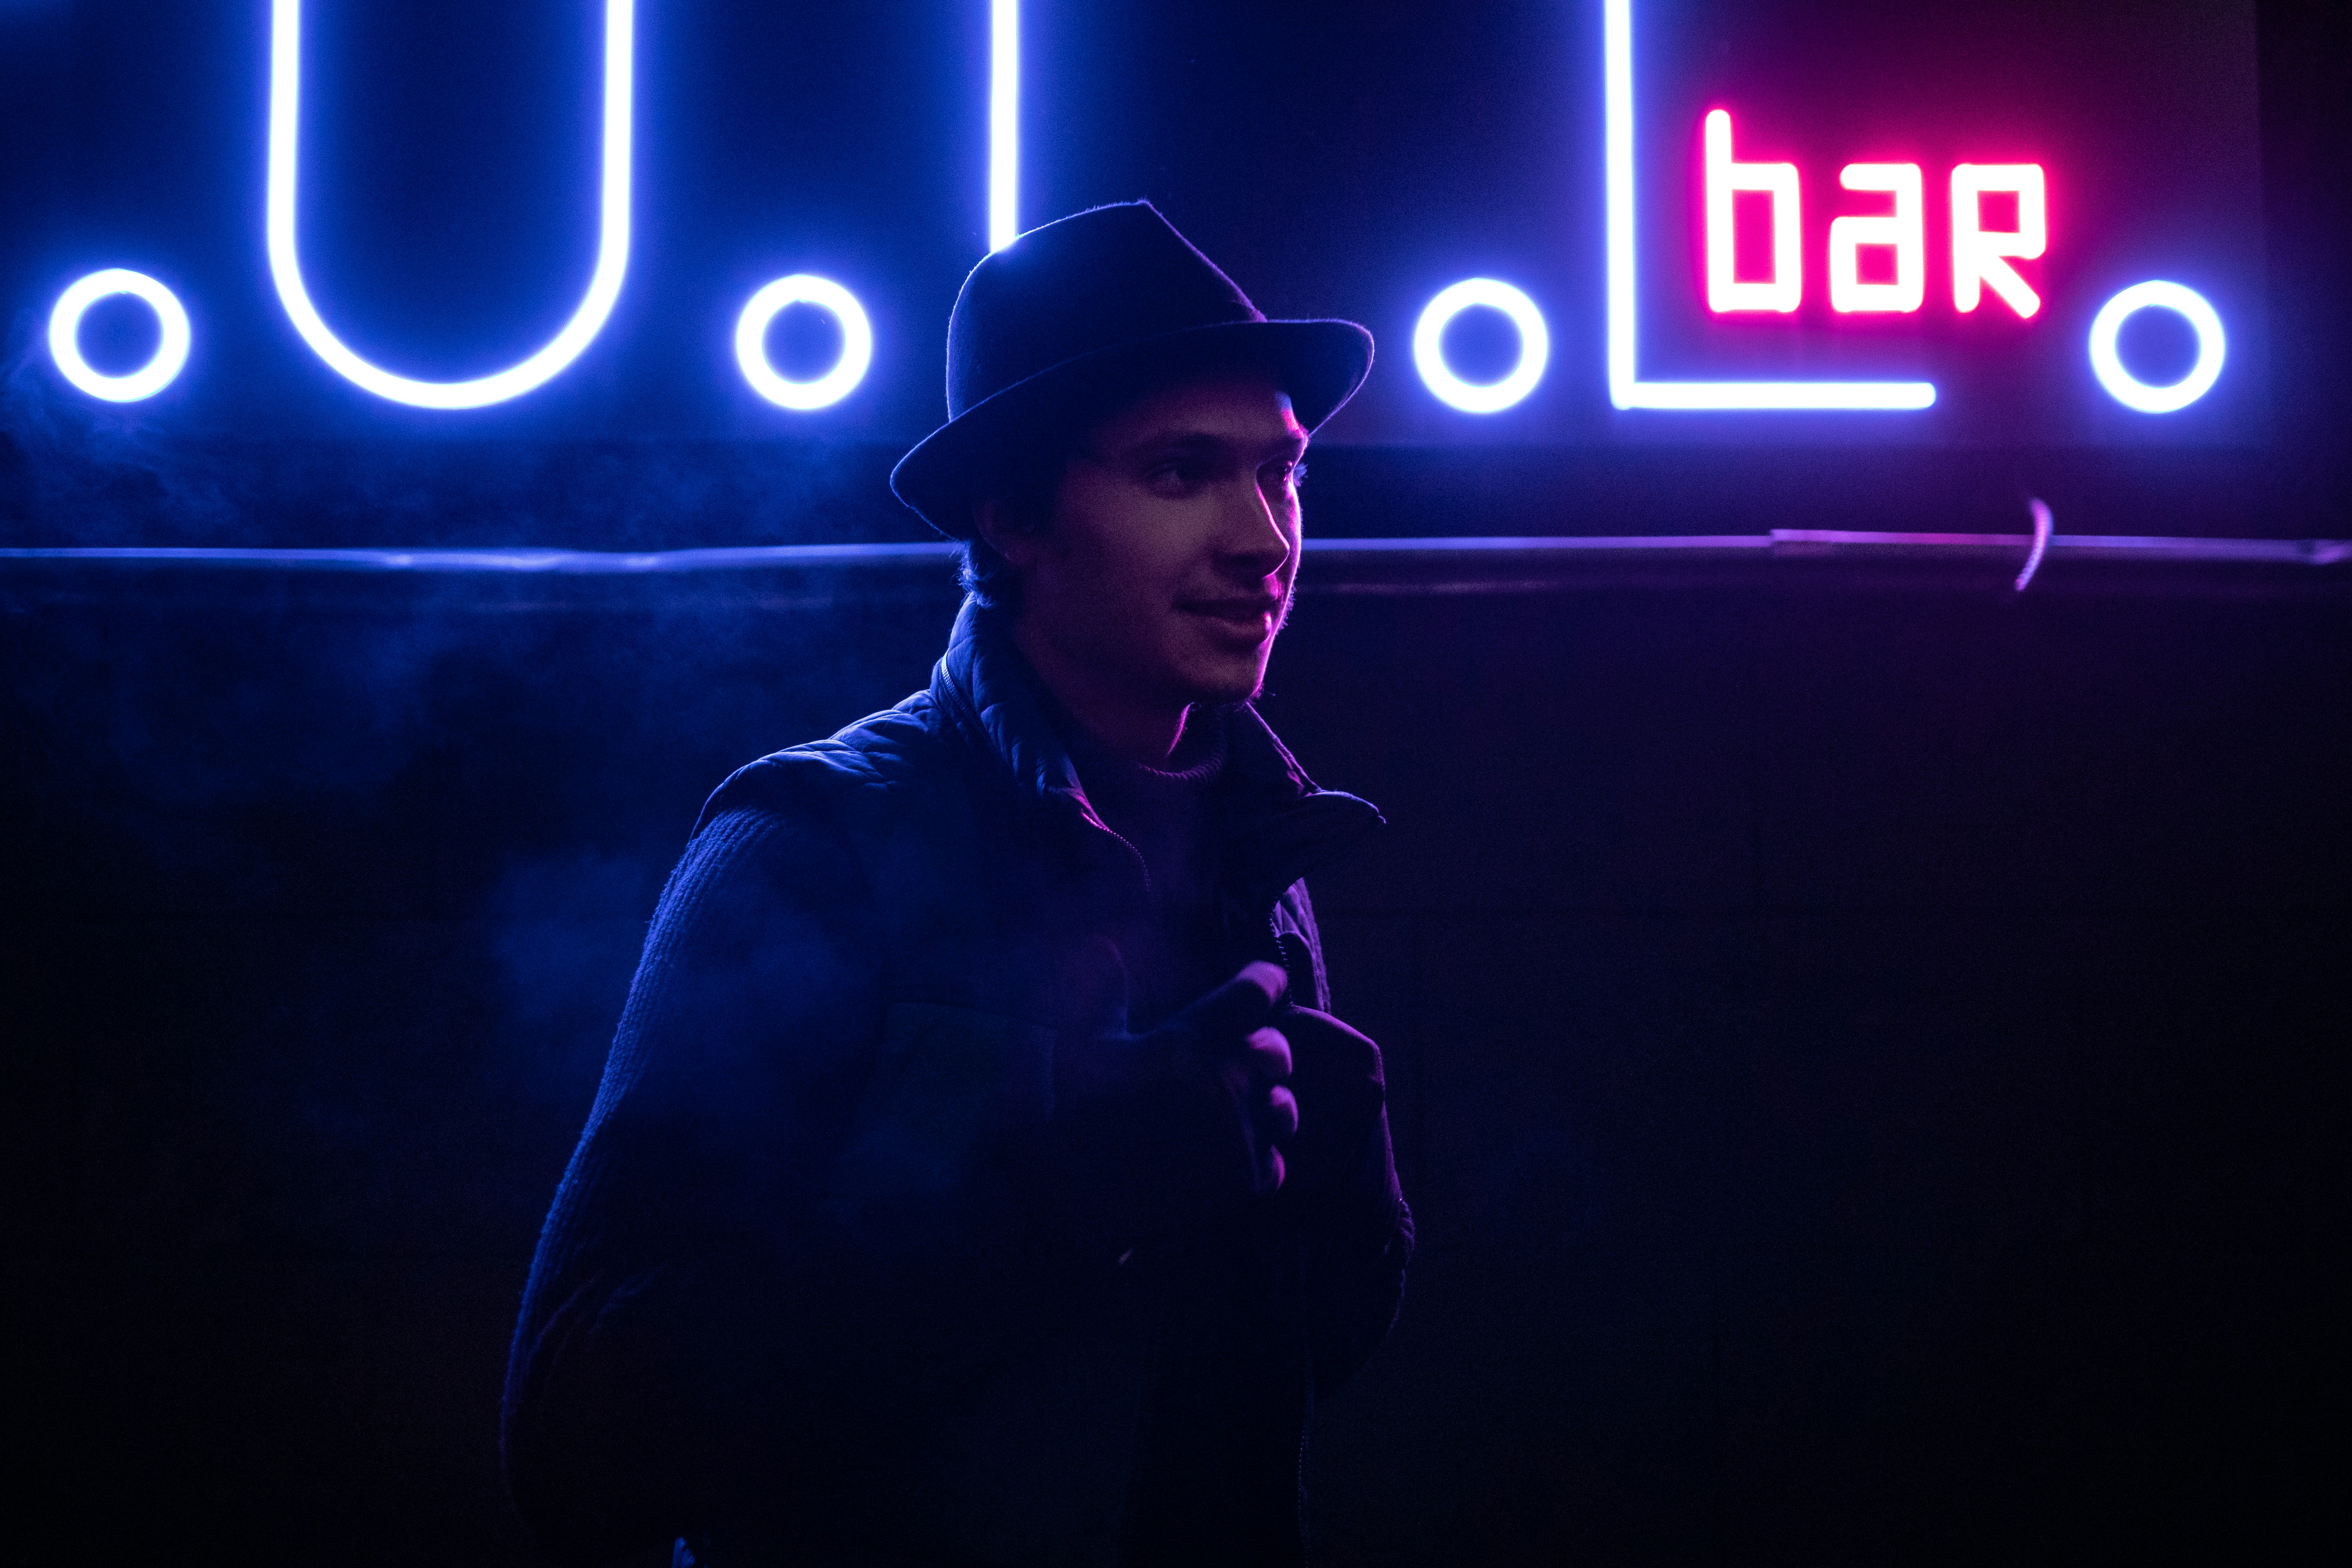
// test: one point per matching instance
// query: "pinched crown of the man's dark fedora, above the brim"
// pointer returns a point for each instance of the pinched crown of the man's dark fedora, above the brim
(1078, 286)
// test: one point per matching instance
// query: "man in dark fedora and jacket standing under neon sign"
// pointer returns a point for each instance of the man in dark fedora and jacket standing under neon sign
(977, 1177)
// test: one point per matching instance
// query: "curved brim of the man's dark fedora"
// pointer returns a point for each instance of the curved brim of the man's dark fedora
(1318, 366)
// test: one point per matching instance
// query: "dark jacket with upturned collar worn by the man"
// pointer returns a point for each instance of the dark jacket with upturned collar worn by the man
(815, 1285)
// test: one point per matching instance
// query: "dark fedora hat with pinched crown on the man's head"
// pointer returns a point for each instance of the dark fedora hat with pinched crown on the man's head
(1069, 319)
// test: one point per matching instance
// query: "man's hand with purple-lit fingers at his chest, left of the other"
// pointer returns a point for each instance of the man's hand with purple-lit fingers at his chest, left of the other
(1168, 1130)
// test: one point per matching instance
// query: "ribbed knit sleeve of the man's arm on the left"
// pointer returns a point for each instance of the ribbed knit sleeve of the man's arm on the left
(702, 1334)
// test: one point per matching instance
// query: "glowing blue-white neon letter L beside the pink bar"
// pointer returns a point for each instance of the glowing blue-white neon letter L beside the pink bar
(1626, 387)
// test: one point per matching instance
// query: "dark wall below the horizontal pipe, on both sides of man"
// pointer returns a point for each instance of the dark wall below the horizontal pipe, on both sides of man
(1866, 1043)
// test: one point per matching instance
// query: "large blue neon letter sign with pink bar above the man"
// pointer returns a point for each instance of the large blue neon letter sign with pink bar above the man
(1796, 208)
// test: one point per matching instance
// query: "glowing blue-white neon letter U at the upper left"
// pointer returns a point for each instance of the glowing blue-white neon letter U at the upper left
(575, 335)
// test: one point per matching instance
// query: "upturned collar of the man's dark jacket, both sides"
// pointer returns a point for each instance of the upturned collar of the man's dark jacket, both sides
(1278, 824)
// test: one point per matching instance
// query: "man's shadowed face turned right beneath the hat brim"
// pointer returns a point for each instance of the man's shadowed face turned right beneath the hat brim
(1175, 540)
